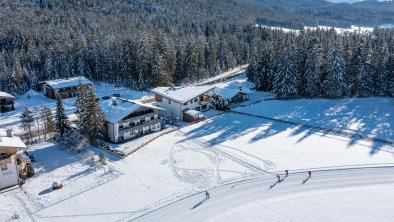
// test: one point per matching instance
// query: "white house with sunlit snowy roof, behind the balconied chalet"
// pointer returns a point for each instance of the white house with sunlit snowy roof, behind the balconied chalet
(177, 101)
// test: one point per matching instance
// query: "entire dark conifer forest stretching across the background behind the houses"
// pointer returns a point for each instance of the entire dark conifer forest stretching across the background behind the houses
(143, 44)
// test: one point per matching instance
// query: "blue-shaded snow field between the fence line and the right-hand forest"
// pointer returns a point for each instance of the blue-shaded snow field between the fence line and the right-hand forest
(365, 116)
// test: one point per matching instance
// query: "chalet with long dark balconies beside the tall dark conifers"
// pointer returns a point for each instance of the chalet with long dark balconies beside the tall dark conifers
(129, 119)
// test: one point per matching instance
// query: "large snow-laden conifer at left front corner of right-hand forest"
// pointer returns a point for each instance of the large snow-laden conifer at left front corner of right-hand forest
(286, 79)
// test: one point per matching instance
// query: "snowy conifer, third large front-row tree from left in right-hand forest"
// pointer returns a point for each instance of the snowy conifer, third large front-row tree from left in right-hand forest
(335, 84)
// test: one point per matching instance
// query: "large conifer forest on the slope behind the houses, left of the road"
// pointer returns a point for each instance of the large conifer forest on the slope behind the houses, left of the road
(136, 43)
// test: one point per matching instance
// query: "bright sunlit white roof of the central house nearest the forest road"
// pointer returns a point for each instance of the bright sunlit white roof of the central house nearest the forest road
(182, 95)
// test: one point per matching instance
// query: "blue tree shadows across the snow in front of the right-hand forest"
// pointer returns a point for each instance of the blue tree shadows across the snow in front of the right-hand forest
(361, 116)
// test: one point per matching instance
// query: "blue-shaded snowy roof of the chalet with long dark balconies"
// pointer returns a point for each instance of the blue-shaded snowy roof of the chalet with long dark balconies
(123, 107)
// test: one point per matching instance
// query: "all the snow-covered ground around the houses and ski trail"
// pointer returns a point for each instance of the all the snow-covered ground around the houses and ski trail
(218, 154)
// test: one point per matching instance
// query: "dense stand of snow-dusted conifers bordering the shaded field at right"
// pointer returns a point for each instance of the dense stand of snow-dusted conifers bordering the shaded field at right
(322, 63)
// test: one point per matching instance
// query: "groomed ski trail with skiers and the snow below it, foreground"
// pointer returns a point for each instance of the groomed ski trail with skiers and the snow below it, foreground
(329, 195)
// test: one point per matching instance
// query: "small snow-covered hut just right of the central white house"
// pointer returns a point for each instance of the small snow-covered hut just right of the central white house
(233, 95)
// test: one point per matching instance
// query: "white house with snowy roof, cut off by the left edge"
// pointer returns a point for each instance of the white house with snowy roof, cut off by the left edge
(9, 174)
